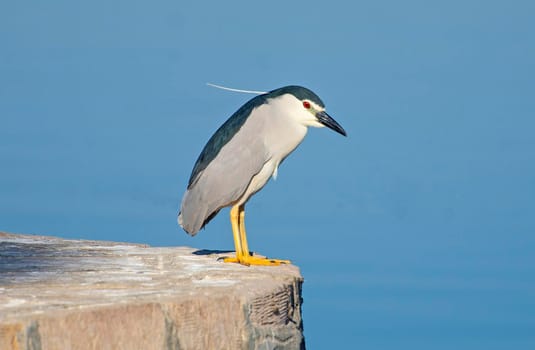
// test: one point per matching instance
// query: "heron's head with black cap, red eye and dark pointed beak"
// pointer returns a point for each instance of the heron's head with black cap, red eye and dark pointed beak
(304, 106)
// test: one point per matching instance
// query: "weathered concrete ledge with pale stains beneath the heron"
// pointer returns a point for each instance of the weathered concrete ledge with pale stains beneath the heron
(73, 294)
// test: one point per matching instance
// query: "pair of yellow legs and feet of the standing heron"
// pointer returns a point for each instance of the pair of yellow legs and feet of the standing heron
(243, 256)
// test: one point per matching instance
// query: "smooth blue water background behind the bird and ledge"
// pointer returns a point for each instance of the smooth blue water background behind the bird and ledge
(415, 232)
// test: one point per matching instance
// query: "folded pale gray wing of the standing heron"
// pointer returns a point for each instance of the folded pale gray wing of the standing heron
(225, 178)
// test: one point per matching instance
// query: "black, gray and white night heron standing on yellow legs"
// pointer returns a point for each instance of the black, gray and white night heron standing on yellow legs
(243, 154)
